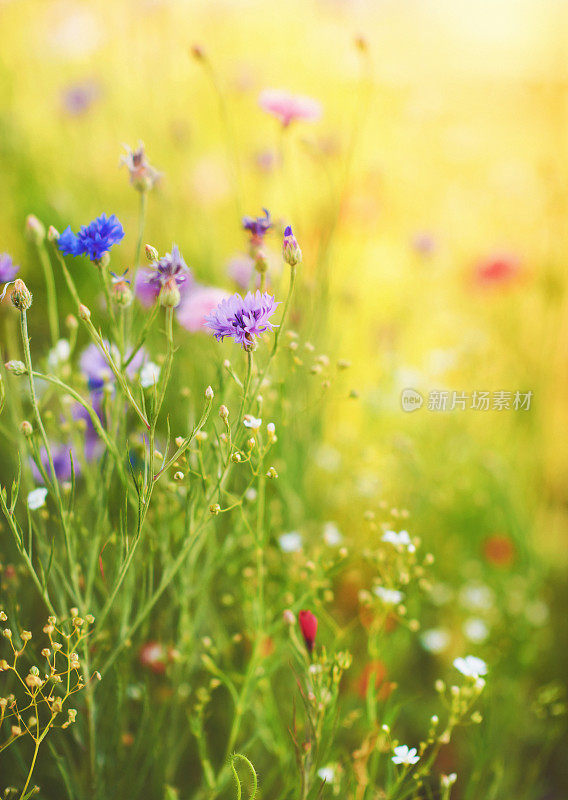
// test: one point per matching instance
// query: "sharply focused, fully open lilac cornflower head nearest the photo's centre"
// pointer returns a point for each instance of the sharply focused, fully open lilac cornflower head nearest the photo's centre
(242, 318)
